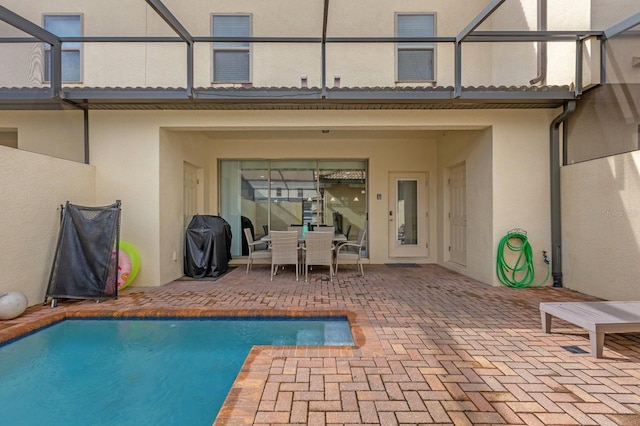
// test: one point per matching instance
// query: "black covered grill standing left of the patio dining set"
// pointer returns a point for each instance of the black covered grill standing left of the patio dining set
(207, 247)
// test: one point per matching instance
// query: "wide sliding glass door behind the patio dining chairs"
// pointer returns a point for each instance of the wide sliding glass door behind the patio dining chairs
(275, 194)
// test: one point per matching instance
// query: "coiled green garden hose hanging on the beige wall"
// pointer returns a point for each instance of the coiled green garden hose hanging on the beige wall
(522, 273)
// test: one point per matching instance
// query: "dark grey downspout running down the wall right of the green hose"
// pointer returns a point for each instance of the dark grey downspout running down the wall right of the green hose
(556, 212)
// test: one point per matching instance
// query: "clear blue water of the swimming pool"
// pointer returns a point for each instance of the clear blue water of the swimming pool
(139, 372)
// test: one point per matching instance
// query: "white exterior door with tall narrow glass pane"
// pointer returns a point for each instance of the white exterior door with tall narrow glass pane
(408, 215)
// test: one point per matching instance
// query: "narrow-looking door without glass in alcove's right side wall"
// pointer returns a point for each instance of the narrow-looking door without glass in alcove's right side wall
(458, 214)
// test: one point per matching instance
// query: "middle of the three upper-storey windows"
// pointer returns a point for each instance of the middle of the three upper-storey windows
(231, 61)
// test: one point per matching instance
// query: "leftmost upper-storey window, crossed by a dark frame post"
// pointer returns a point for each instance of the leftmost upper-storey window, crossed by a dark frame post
(64, 26)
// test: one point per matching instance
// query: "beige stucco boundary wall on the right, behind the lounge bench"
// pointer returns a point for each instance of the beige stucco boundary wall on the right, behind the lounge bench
(601, 225)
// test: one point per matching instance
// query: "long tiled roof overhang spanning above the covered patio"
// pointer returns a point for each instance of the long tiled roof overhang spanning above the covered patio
(285, 98)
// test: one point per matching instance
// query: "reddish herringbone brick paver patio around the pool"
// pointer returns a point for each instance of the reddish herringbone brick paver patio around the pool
(432, 347)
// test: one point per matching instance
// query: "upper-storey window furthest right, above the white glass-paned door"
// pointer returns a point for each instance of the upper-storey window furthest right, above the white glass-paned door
(415, 61)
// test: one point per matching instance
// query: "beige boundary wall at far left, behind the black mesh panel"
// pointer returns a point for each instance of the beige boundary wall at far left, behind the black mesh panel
(32, 190)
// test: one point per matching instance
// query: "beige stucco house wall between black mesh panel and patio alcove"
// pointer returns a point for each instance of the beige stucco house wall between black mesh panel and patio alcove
(125, 153)
